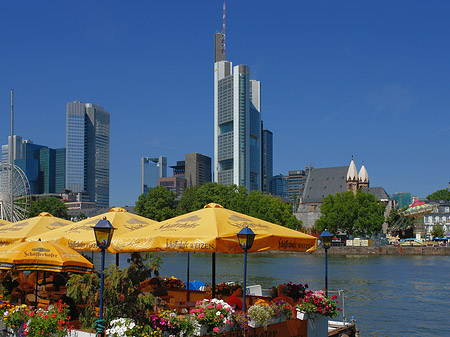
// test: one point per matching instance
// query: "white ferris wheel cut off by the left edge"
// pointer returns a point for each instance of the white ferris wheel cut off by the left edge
(21, 194)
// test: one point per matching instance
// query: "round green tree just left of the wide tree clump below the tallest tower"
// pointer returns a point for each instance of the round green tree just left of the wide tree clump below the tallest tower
(157, 205)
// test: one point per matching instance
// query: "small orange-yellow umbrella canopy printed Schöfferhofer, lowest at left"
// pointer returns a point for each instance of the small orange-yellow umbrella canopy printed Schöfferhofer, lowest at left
(40, 255)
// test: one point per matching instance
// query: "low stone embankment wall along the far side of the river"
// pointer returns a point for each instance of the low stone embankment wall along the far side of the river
(386, 250)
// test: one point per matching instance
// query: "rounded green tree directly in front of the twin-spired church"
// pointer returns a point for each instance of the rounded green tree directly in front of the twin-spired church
(361, 215)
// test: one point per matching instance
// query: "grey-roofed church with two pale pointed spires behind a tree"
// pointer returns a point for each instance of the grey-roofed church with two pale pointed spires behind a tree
(322, 182)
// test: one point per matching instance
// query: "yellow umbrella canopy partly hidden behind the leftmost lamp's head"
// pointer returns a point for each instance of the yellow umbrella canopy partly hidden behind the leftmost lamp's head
(80, 235)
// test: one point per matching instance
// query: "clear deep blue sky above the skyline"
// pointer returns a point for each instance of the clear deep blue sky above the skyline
(339, 78)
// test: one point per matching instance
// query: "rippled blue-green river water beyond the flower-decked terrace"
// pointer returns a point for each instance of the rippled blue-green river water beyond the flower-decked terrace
(387, 295)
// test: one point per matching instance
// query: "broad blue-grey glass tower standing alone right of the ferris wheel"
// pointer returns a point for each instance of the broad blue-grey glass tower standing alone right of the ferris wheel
(87, 156)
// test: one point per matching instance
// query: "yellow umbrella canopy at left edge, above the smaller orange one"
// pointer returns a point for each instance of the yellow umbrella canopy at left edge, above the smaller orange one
(38, 225)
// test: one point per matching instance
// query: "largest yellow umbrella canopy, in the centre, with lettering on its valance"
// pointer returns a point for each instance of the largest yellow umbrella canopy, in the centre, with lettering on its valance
(212, 229)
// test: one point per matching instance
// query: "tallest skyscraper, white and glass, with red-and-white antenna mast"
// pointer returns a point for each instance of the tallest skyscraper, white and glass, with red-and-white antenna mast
(237, 121)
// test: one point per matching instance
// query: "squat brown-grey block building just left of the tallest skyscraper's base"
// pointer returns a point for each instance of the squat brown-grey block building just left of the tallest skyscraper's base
(197, 169)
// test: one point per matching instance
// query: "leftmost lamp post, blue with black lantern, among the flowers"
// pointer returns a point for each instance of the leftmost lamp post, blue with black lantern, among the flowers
(103, 231)
